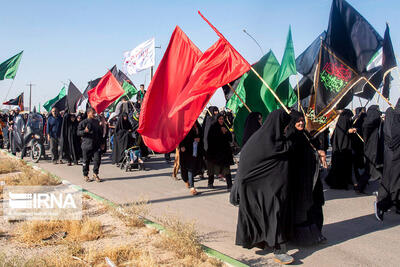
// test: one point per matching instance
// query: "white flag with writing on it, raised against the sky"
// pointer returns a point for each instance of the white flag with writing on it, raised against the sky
(140, 58)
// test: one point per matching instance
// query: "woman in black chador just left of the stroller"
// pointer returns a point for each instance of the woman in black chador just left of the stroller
(123, 138)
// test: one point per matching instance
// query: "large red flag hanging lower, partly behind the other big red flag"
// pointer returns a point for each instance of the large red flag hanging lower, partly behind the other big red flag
(160, 133)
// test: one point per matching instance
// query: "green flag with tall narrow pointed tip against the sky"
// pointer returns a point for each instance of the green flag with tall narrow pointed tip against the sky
(280, 82)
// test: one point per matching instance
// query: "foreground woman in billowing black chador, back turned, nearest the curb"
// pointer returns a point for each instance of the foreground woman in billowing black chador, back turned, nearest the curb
(262, 189)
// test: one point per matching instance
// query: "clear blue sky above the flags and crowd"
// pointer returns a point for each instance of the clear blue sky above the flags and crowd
(79, 40)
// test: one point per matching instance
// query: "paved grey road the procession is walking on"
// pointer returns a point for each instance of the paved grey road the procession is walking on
(355, 237)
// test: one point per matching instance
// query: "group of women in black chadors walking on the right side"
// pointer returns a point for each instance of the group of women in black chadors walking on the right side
(278, 188)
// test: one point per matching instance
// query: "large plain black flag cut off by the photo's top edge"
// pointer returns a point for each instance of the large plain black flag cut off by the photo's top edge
(351, 36)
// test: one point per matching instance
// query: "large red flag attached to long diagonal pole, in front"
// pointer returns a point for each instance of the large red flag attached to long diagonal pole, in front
(219, 65)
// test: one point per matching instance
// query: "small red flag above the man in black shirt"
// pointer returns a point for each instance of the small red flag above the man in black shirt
(105, 93)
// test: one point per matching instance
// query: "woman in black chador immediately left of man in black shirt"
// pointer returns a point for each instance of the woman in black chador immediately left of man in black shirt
(70, 141)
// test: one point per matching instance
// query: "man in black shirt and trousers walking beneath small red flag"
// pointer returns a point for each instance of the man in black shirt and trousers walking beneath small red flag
(91, 133)
